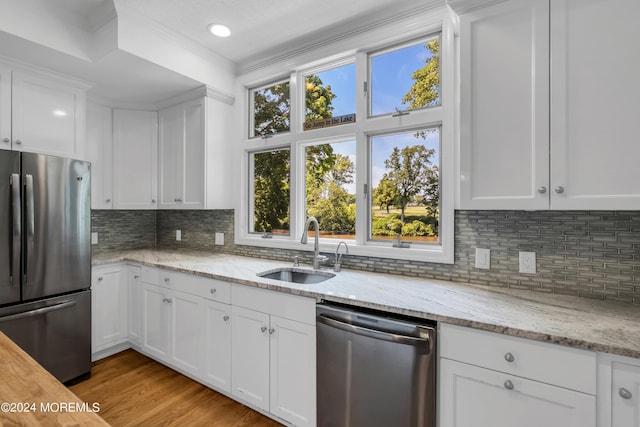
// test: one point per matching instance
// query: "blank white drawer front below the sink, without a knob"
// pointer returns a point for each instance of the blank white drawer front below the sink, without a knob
(291, 307)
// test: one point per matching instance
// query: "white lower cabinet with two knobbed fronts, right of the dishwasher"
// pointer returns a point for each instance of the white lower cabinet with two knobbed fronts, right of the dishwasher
(492, 380)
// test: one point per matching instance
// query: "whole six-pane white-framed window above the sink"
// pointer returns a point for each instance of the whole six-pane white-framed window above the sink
(384, 178)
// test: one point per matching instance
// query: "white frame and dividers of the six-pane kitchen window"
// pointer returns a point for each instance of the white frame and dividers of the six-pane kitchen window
(441, 22)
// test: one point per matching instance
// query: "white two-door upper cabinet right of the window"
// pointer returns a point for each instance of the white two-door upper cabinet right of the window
(521, 148)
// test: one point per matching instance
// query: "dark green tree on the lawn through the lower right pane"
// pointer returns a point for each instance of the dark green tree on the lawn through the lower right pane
(408, 170)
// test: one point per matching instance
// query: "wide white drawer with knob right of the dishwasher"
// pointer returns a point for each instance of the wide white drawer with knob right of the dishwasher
(549, 363)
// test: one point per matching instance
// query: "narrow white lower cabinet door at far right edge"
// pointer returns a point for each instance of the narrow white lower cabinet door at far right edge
(618, 391)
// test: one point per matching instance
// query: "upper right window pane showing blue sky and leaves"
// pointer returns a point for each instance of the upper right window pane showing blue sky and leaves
(406, 79)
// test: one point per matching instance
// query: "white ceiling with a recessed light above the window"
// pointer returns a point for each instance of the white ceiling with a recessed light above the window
(265, 28)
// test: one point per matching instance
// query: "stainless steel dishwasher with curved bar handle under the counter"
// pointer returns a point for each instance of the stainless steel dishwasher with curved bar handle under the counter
(374, 370)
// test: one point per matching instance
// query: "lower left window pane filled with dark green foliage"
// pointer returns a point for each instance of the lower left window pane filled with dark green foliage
(271, 189)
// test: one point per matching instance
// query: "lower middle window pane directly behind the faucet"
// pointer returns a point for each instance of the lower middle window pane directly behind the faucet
(330, 188)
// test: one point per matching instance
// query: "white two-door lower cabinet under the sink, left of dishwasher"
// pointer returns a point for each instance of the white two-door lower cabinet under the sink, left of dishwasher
(273, 346)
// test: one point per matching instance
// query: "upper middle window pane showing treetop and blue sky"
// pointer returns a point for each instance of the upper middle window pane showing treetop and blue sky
(330, 94)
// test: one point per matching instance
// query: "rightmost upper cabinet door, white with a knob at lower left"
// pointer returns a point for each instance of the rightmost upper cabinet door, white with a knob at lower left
(595, 100)
